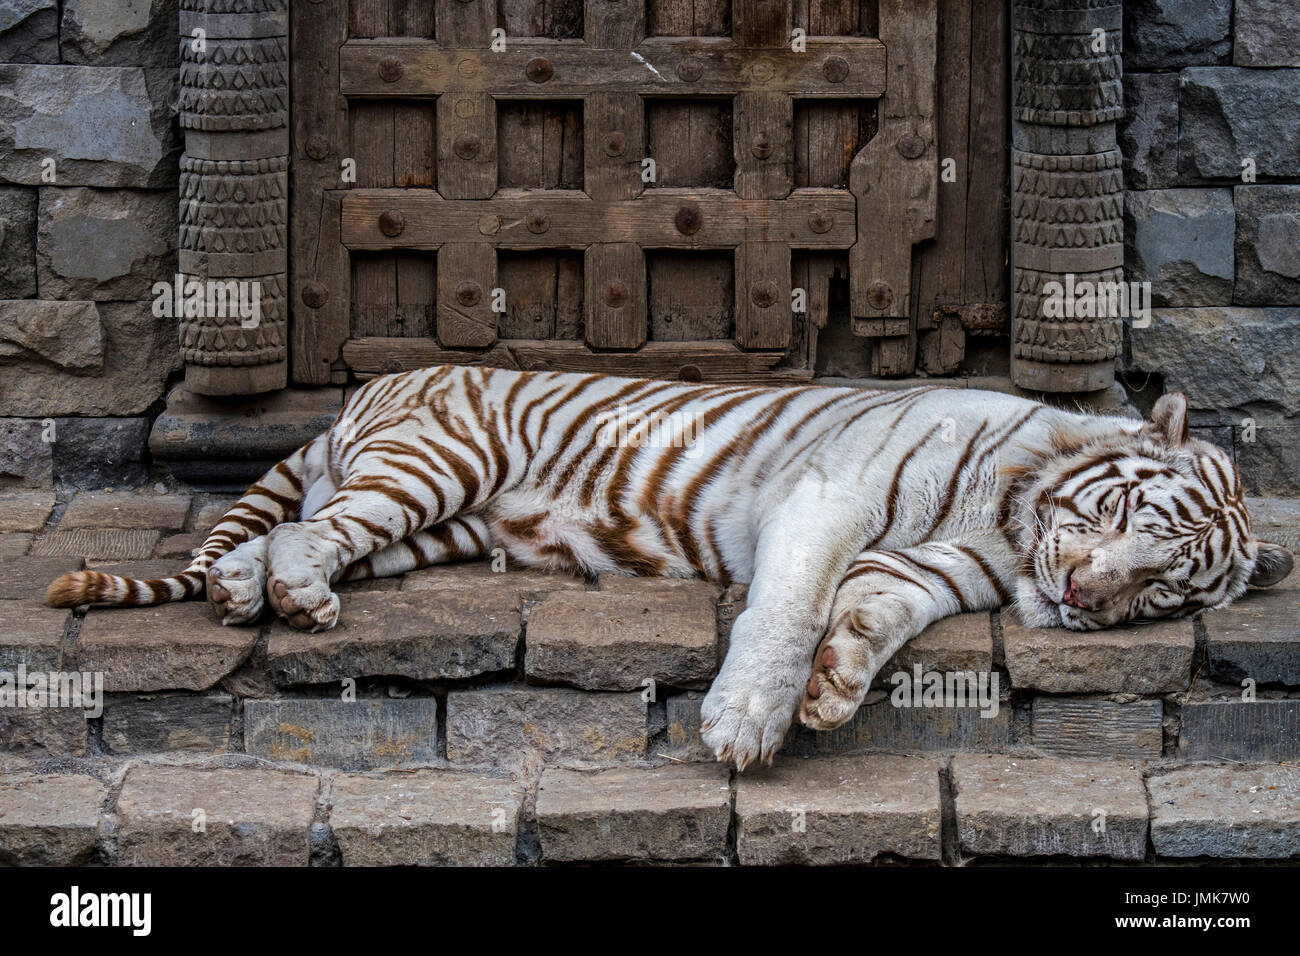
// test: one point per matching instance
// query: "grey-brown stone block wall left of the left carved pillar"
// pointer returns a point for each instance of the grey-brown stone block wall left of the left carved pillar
(89, 179)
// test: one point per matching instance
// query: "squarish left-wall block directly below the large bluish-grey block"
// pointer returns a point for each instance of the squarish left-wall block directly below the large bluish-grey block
(106, 244)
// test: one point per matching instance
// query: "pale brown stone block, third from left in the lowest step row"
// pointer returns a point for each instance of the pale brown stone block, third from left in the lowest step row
(426, 819)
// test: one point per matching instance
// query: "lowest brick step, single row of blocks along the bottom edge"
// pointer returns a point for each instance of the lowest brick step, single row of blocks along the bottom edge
(824, 811)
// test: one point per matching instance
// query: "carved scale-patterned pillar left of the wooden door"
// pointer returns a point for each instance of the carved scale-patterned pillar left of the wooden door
(235, 189)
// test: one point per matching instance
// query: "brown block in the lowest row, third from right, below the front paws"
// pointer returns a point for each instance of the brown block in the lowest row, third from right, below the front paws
(830, 811)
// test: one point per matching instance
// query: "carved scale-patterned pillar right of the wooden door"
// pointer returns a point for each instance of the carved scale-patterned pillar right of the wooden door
(1067, 189)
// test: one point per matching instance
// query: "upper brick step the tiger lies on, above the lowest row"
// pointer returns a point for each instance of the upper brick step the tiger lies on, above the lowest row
(462, 667)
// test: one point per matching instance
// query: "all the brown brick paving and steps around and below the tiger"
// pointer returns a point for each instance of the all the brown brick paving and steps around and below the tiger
(461, 715)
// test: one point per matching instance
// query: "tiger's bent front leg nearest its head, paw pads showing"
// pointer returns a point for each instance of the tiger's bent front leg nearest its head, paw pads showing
(886, 600)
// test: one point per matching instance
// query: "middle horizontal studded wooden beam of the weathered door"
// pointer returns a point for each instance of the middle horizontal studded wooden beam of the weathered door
(557, 219)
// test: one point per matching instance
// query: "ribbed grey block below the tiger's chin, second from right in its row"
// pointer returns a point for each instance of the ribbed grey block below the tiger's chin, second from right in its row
(1098, 728)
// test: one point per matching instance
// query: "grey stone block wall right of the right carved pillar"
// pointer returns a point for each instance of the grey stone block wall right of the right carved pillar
(1212, 220)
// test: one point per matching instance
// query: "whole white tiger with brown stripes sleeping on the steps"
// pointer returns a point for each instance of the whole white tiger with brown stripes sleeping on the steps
(857, 517)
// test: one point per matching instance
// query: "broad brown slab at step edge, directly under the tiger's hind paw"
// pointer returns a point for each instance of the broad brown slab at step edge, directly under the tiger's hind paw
(423, 637)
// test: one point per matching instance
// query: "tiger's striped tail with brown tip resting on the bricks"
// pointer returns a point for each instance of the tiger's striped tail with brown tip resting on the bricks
(272, 500)
